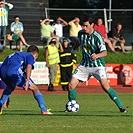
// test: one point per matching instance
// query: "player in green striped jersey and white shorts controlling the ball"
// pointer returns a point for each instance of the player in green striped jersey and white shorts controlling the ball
(92, 64)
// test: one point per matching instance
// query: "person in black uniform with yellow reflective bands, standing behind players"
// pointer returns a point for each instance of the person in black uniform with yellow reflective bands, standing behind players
(67, 59)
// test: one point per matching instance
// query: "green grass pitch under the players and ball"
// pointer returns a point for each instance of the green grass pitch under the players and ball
(97, 114)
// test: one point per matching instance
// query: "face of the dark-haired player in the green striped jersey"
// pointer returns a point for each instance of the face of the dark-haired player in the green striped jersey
(88, 28)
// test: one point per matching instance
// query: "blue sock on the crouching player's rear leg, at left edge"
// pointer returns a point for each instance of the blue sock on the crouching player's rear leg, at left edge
(6, 94)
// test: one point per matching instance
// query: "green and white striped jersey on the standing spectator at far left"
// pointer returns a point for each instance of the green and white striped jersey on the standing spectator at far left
(4, 15)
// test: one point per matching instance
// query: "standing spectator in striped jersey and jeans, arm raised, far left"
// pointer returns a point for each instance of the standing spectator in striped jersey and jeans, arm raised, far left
(4, 8)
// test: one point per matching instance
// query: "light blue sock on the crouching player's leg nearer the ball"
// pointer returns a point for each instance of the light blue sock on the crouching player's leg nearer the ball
(38, 96)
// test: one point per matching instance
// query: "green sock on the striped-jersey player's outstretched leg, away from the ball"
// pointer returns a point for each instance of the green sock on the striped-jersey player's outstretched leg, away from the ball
(114, 96)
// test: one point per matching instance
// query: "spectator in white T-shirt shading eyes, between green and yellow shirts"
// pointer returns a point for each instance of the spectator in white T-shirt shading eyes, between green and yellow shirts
(58, 26)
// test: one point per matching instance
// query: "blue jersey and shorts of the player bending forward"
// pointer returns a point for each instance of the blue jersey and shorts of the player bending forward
(12, 70)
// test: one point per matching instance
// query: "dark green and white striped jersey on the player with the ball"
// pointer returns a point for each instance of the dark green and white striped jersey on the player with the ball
(89, 45)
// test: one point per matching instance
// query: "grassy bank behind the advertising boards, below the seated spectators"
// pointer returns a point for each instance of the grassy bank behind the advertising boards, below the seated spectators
(111, 58)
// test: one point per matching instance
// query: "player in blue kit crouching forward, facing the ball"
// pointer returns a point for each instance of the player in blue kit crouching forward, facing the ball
(16, 71)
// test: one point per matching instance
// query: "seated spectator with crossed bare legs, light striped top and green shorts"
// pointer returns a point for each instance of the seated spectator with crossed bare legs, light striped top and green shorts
(17, 30)
